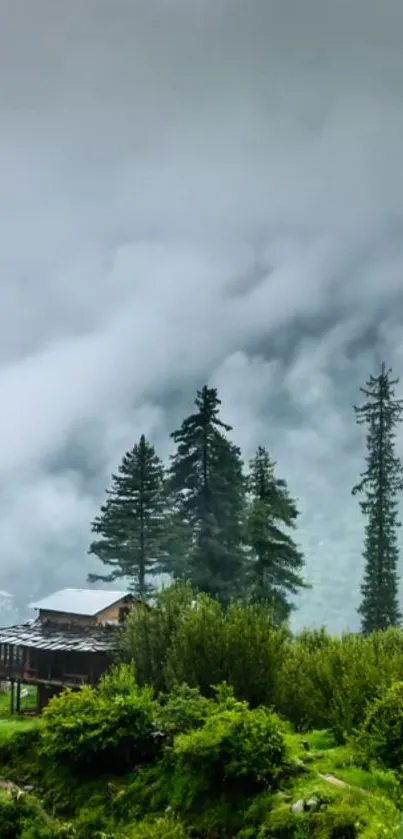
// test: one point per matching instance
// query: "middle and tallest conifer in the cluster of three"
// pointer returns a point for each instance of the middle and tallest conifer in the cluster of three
(207, 481)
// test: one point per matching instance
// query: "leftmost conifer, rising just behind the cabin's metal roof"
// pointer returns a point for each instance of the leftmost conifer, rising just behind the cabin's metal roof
(132, 524)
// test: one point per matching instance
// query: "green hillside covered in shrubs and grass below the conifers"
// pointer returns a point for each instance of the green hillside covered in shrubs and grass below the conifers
(215, 723)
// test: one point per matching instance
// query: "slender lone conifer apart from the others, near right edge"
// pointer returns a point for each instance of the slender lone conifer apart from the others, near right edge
(381, 482)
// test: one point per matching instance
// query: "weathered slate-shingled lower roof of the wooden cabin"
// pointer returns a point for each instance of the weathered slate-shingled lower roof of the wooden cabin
(42, 635)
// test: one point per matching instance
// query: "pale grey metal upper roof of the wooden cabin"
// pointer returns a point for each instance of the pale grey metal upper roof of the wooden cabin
(79, 601)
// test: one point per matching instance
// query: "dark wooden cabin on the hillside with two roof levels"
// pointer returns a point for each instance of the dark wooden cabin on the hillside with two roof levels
(70, 643)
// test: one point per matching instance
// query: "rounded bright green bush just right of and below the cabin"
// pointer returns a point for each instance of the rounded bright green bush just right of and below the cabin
(112, 726)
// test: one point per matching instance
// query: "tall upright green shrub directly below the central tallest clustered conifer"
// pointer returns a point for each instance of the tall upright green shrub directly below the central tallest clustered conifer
(239, 645)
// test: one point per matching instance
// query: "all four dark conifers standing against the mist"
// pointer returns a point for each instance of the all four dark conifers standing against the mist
(232, 532)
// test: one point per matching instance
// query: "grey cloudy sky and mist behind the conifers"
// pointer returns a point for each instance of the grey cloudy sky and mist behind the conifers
(195, 192)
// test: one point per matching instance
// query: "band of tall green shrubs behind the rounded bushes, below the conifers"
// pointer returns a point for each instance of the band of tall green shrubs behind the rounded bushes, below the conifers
(195, 641)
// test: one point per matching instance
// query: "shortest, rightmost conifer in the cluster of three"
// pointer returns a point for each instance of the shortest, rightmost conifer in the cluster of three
(276, 562)
